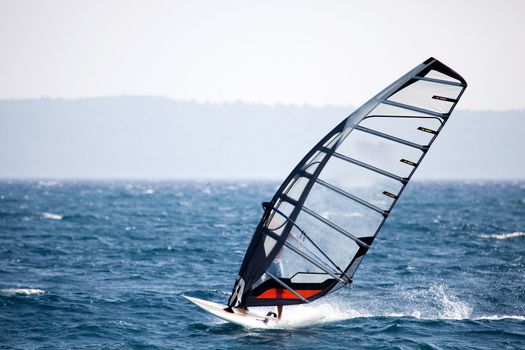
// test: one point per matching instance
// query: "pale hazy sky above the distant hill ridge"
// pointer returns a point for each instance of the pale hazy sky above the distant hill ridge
(312, 52)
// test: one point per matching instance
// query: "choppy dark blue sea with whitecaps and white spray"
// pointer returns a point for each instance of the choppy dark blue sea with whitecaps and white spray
(105, 264)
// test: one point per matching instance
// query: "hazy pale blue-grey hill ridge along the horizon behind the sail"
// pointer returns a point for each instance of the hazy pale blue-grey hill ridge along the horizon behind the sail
(158, 138)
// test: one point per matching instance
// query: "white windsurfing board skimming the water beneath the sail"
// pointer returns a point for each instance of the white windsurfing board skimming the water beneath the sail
(248, 319)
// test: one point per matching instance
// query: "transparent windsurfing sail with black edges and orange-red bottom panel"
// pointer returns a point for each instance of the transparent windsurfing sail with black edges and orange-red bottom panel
(322, 220)
